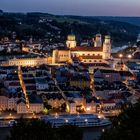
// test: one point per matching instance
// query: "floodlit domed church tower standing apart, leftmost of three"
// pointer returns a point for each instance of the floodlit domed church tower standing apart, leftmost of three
(71, 42)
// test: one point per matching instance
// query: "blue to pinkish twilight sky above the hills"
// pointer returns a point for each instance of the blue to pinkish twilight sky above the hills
(75, 7)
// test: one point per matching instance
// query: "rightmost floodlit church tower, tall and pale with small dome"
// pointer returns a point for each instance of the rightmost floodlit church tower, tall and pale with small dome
(107, 48)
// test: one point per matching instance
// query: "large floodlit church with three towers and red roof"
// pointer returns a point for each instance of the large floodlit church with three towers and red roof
(98, 53)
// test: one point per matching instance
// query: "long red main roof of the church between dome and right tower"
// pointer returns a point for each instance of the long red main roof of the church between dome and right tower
(95, 49)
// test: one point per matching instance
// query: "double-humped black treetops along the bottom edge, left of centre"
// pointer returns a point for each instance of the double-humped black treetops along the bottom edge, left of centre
(38, 130)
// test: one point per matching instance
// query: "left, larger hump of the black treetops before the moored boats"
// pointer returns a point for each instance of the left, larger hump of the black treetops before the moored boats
(31, 130)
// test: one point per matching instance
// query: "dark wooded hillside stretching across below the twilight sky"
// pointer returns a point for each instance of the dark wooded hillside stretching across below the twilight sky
(41, 25)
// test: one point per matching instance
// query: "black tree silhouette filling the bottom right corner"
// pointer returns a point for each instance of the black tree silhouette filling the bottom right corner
(126, 126)
